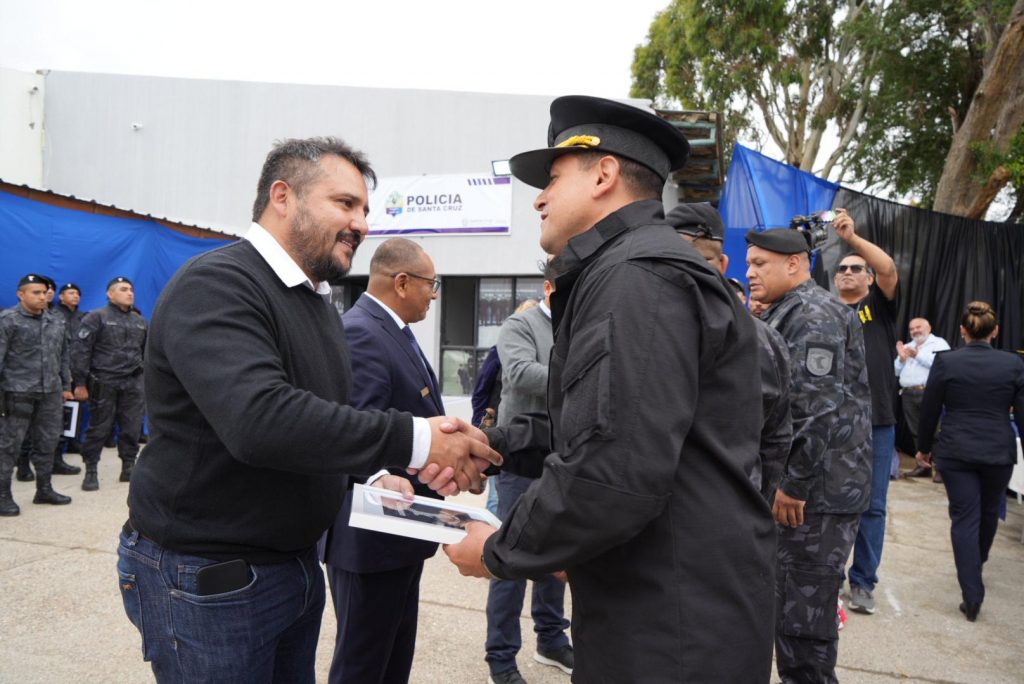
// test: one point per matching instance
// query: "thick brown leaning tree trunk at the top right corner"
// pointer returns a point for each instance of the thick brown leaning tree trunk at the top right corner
(997, 113)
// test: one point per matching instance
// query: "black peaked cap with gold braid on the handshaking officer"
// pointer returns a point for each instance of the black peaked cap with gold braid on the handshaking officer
(580, 123)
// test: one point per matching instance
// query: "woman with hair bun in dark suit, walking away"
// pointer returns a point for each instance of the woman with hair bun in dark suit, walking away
(977, 386)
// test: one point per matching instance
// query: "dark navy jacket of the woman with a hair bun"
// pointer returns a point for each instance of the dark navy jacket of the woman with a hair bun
(977, 386)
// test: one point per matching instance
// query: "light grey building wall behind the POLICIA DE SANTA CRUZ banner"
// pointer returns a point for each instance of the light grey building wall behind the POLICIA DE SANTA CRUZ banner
(192, 151)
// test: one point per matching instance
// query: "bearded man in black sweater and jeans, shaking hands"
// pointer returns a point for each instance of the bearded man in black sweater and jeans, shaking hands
(247, 393)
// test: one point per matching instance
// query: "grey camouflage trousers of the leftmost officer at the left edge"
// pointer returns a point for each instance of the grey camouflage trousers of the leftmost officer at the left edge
(40, 415)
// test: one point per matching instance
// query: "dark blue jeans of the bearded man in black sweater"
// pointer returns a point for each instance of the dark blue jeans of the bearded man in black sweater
(266, 632)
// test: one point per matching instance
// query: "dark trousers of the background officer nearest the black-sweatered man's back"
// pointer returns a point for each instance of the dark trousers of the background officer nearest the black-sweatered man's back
(124, 405)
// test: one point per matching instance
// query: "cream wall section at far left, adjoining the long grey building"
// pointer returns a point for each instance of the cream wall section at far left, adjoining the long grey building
(22, 140)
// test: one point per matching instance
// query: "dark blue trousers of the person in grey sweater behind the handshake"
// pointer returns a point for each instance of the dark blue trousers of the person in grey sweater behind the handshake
(505, 600)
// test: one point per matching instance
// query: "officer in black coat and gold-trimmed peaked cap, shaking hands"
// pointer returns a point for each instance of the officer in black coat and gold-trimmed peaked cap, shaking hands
(645, 498)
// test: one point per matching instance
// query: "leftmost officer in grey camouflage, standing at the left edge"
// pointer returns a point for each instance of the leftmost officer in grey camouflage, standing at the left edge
(35, 380)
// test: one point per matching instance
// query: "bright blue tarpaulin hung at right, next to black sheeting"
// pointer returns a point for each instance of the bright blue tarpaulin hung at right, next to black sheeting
(762, 194)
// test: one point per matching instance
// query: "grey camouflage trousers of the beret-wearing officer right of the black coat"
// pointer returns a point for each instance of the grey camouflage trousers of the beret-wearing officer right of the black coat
(809, 575)
